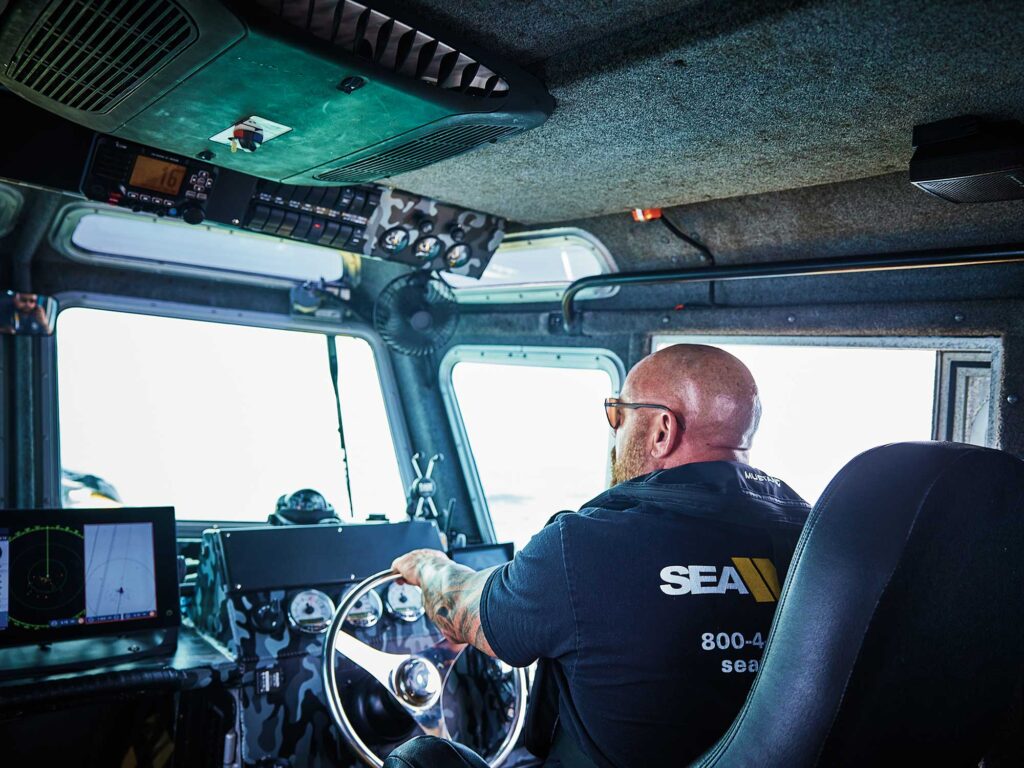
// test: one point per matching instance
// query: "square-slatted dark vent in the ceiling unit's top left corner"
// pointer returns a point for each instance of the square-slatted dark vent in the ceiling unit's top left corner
(91, 55)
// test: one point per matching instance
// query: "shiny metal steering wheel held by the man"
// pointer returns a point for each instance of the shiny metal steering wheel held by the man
(416, 681)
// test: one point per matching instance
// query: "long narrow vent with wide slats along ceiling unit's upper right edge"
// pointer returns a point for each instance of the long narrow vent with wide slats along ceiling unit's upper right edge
(390, 44)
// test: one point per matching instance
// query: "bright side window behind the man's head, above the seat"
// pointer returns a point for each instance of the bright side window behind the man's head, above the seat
(825, 405)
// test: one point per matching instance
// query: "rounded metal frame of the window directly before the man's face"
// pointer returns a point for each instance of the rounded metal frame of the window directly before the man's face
(592, 359)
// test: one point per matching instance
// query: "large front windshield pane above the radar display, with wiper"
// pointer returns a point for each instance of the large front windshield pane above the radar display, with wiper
(218, 420)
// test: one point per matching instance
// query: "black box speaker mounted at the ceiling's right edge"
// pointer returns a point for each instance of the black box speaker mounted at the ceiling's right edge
(969, 160)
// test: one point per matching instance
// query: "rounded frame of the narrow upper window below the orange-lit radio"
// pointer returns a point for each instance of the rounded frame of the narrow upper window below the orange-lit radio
(67, 222)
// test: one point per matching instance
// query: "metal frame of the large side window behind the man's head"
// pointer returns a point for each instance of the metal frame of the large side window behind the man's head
(991, 346)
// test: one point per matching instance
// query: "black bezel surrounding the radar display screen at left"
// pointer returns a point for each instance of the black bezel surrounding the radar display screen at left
(165, 568)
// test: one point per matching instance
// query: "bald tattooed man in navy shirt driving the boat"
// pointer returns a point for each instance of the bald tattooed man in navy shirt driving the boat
(654, 603)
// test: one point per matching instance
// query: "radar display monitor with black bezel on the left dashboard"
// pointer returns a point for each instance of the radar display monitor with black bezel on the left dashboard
(81, 573)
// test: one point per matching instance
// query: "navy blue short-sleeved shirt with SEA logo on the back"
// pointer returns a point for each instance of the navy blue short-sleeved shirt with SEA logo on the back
(655, 604)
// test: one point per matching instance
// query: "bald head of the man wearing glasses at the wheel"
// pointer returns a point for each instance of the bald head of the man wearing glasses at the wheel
(711, 411)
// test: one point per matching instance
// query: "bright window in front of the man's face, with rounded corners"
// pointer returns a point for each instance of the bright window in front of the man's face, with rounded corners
(536, 432)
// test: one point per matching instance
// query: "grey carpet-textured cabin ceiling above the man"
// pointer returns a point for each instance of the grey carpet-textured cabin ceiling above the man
(663, 103)
